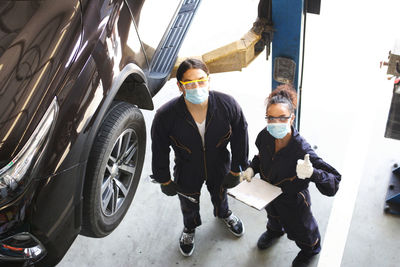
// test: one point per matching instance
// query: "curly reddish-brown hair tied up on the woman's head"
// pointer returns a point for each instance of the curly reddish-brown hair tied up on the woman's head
(285, 94)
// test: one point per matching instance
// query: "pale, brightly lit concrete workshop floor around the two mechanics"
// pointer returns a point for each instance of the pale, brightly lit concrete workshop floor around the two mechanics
(345, 105)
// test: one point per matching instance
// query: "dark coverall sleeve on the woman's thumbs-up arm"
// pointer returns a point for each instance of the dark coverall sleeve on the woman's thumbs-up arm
(325, 177)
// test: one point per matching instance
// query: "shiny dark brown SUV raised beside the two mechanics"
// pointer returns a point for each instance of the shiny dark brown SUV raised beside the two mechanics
(74, 75)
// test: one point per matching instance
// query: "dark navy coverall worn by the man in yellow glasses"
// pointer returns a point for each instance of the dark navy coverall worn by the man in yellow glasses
(195, 163)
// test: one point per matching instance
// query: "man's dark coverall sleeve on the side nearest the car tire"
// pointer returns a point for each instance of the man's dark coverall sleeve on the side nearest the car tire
(160, 150)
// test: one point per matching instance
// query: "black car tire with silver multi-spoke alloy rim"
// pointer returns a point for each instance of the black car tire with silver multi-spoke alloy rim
(113, 169)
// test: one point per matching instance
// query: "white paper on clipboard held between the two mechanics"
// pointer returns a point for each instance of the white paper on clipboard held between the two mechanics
(257, 193)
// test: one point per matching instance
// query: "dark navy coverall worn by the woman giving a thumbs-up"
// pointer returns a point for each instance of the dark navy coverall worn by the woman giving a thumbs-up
(291, 211)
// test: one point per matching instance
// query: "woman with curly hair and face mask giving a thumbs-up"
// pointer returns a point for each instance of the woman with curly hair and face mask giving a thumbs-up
(280, 162)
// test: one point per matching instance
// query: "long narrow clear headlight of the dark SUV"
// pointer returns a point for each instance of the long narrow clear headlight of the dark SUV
(13, 177)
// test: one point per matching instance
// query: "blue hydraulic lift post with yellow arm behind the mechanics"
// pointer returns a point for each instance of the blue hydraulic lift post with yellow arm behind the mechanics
(280, 24)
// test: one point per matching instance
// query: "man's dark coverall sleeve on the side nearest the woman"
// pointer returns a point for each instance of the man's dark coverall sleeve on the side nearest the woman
(239, 140)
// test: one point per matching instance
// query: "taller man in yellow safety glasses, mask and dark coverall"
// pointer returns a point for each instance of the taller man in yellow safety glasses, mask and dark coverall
(198, 125)
